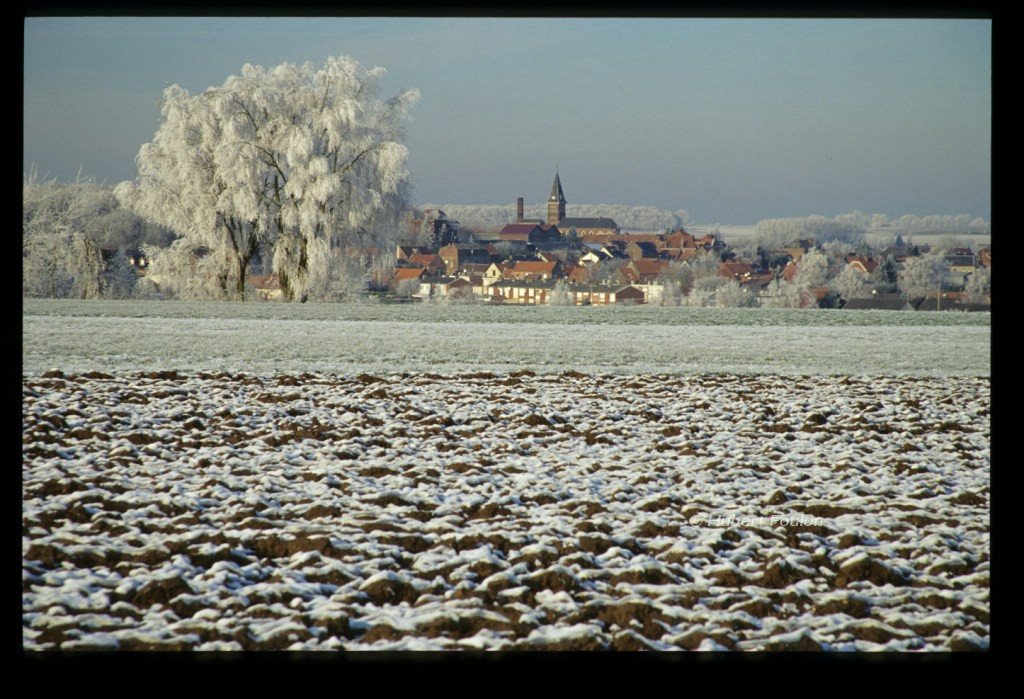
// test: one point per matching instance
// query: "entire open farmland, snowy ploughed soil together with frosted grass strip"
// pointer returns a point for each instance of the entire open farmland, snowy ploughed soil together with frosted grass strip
(319, 477)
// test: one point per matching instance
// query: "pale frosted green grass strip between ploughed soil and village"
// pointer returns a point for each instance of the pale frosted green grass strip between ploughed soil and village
(449, 339)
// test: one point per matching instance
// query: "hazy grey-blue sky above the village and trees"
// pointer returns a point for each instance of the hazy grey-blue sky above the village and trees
(733, 120)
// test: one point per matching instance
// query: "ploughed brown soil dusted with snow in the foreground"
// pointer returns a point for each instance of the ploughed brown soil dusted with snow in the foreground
(411, 511)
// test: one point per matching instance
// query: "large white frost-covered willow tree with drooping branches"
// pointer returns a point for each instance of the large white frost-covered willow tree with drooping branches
(294, 163)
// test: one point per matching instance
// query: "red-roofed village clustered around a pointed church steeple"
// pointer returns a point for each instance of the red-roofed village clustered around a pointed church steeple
(590, 261)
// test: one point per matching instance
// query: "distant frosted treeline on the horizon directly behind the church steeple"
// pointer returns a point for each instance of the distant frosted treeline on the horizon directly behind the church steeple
(636, 219)
